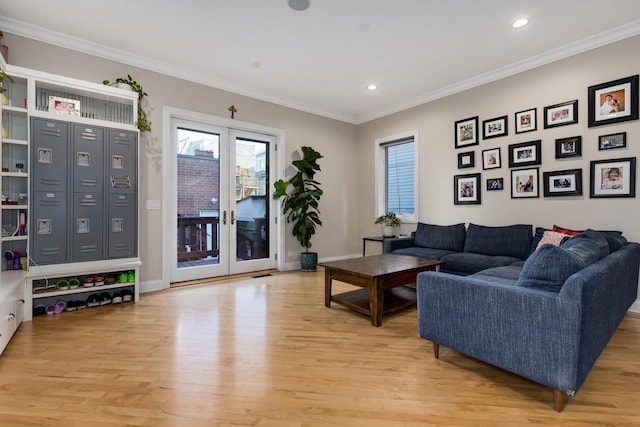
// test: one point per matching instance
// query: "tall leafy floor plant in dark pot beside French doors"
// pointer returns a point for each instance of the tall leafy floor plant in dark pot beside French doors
(300, 195)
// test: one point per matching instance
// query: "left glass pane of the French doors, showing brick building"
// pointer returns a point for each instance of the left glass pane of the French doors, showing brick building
(198, 197)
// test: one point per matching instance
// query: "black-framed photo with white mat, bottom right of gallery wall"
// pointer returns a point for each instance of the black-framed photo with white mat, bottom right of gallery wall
(613, 178)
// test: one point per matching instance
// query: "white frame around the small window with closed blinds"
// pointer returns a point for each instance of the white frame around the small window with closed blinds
(380, 171)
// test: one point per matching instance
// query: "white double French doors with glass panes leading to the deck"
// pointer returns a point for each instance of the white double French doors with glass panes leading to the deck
(222, 201)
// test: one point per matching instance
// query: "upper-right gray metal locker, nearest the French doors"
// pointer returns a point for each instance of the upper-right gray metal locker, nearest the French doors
(122, 162)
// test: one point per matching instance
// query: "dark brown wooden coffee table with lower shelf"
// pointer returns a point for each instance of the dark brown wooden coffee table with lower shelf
(382, 278)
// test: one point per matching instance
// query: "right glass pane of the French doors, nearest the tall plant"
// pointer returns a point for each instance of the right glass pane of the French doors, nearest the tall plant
(252, 203)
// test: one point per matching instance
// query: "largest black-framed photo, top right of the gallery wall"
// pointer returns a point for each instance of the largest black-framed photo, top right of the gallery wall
(613, 102)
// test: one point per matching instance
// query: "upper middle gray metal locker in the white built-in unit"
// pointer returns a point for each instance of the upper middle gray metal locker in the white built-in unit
(88, 158)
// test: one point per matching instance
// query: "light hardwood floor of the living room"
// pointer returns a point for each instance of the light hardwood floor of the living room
(266, 352)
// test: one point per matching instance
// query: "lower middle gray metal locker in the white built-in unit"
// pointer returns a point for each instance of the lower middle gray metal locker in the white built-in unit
(87, 227)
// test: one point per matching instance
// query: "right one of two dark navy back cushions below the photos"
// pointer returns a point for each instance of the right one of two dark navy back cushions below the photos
(510, 240)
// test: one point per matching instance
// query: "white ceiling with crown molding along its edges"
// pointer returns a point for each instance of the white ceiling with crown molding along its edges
(321, 60)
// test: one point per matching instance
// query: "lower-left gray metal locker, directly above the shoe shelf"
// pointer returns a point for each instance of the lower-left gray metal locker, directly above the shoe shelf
(48, 233)
